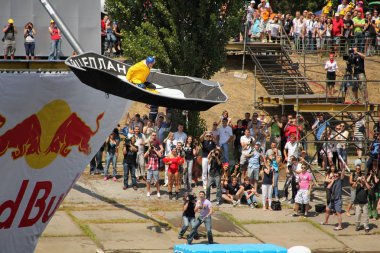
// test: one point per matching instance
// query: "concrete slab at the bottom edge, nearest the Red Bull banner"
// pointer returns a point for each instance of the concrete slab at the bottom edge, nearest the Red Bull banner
(65, 245)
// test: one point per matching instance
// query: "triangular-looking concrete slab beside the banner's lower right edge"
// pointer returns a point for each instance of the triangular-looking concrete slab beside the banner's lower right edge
(62, 225)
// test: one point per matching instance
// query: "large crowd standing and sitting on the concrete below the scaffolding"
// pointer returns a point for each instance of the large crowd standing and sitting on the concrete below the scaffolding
(242, 161)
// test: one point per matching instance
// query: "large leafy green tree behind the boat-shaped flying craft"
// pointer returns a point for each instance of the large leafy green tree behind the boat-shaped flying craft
(187, 37)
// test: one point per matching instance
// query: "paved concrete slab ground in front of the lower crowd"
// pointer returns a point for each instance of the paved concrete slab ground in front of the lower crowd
(99, 216)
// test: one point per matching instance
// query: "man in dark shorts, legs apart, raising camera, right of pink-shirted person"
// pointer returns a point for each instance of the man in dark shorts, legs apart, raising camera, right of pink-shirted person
(335, 203)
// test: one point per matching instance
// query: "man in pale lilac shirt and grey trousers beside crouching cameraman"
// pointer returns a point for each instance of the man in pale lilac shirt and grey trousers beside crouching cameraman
(204, 207)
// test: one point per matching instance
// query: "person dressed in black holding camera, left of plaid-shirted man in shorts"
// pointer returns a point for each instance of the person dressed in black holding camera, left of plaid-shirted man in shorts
(130, 162)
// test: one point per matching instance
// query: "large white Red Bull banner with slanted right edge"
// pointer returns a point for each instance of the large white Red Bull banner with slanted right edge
(51, 125)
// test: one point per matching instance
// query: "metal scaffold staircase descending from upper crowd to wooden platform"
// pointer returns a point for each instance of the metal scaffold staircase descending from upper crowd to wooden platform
(276, 71)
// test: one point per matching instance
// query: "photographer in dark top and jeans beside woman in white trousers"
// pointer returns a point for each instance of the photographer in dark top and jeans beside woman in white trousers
(214, 176)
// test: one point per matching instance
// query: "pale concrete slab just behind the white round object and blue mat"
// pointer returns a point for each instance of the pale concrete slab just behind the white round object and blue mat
(294, 234)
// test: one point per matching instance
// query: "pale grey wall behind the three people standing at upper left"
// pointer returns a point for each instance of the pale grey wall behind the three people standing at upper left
(81, 16)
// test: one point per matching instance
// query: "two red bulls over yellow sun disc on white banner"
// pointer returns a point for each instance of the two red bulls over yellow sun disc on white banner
(52, 131)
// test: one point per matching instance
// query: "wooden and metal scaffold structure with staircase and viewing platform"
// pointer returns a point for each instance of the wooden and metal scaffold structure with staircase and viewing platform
(278, 70)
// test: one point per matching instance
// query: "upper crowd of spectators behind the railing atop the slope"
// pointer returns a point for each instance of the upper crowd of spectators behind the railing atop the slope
(335, 28)
